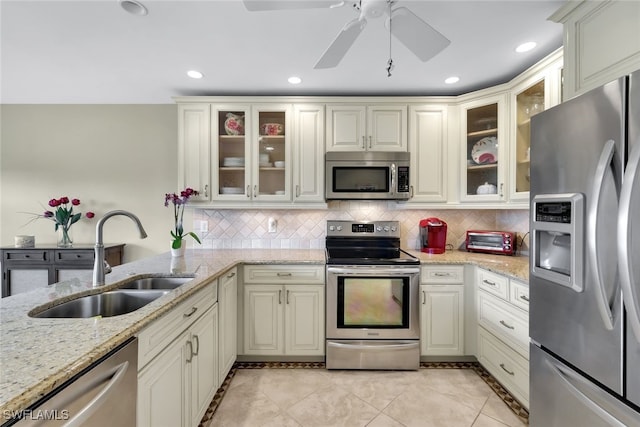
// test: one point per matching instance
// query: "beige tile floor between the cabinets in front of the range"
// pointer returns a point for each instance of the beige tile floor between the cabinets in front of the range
(318, 397)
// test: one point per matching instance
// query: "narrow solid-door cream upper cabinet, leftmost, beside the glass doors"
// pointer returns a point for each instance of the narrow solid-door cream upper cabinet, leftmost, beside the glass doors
(194, 147)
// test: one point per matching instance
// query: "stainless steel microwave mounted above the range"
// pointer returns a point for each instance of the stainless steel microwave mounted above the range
(367, 175)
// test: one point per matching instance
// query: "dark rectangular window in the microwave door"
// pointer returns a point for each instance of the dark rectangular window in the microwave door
(360, 179)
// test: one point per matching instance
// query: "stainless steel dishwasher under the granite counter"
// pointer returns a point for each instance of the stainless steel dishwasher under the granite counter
(104, 394)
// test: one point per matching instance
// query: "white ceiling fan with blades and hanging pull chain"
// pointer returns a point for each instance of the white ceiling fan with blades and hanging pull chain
(418, 36)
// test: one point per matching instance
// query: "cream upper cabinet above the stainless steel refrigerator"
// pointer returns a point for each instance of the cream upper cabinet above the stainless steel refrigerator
(602, 42)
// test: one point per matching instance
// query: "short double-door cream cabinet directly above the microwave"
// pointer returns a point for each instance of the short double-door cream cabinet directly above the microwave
(366, 127)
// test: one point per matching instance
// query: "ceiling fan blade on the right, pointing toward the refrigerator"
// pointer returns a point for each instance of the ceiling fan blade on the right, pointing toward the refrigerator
(418, 36)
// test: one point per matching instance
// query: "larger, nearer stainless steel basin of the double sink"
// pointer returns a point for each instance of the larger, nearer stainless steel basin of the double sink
(106, 304)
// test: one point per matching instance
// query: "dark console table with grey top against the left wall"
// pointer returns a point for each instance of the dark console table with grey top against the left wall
(24, 269)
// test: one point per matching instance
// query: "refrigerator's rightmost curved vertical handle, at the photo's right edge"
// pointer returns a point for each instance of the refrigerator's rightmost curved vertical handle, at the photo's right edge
(627, 280)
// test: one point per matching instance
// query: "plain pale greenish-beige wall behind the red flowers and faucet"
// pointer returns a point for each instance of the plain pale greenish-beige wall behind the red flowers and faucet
(108, 156)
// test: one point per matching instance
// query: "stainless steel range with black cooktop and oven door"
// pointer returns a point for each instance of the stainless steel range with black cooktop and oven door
(372, 298)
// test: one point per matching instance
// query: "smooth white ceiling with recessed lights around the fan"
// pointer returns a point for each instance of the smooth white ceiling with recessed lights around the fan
(92, 51)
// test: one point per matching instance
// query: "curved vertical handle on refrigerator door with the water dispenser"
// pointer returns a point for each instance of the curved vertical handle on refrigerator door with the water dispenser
(601, 169)
